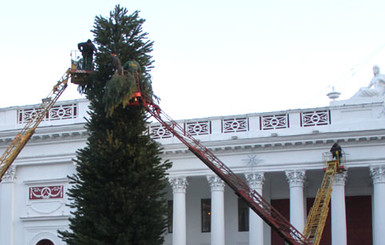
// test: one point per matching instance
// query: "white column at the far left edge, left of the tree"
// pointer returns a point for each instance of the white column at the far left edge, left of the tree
(7, 187)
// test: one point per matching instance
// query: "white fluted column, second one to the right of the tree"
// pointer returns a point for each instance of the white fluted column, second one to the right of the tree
(217, 210)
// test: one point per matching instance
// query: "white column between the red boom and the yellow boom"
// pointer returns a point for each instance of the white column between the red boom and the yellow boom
(296, 179)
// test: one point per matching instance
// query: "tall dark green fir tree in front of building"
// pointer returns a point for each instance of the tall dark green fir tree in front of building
(118, 191)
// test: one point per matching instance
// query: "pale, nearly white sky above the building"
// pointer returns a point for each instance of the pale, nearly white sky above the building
(212, 57)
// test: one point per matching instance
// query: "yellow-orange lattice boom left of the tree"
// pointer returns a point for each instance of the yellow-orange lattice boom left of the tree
(26, 133)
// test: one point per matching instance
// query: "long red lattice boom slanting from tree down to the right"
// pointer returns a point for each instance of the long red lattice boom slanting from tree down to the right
(254, 200)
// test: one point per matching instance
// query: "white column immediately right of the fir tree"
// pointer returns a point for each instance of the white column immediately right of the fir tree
(179, 185)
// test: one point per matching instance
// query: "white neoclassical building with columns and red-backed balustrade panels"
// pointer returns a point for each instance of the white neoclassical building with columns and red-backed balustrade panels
(280, 154)
